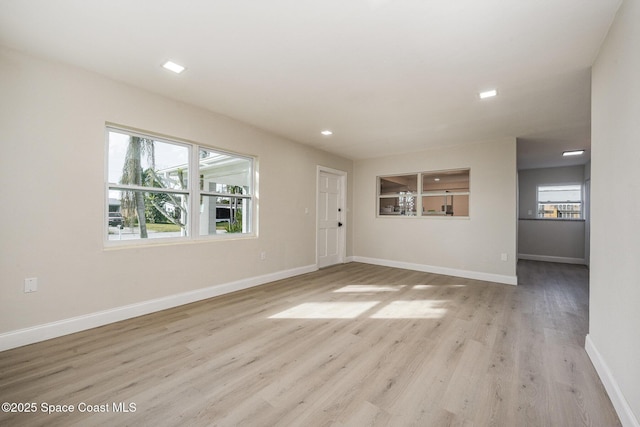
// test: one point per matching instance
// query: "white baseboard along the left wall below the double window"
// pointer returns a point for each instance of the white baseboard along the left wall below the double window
(71, 325)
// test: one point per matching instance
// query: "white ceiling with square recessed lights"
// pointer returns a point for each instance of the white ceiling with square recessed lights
(387, 76)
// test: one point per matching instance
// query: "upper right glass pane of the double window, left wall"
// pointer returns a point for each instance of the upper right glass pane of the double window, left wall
(225, 173)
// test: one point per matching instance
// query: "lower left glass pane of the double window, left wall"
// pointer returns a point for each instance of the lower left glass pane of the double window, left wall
(146, 215)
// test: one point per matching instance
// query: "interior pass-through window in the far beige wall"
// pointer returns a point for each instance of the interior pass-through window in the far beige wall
(426, 194)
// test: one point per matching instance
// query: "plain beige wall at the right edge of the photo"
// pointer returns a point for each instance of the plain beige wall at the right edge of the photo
(614, 317)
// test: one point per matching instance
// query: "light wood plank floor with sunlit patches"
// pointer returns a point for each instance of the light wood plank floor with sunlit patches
(354, 345)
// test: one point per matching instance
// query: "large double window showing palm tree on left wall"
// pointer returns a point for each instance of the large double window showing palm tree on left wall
(163, 189)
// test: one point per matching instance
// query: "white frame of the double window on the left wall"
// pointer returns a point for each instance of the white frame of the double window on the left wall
(193, 193)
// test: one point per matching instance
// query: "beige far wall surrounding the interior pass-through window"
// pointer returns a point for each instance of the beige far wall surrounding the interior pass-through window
(463, 245)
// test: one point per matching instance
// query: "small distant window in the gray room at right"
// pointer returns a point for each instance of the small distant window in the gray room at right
(560, 201)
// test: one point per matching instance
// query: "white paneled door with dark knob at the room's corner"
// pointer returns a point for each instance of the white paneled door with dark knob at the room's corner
(331, 218)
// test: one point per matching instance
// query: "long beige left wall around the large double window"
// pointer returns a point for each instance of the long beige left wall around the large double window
(52, 175)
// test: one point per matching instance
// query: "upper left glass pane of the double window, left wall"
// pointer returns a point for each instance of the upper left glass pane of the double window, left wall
(135, 160)
